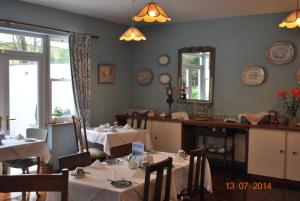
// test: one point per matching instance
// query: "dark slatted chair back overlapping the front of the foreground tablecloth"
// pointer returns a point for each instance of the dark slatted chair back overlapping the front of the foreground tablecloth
(159, 169)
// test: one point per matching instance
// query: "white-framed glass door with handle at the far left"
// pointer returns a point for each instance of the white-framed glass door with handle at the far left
(19, 91)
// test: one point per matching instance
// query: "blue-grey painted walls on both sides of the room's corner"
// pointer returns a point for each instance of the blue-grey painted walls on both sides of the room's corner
(239, 42)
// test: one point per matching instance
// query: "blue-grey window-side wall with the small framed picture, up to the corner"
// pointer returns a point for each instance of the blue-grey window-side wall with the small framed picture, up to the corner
(107, 49)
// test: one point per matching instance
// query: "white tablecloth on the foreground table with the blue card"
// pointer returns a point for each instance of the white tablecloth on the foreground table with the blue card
(95, 186)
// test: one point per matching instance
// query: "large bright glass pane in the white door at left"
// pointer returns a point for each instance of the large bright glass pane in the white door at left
(23, 95)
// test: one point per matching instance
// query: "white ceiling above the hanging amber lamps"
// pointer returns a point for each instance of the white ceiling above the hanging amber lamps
(119, 11)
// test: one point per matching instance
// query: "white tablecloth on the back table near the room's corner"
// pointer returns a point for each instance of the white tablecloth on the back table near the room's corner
(111, 139)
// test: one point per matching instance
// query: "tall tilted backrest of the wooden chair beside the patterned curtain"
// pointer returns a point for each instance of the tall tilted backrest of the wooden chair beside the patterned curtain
(81, 140)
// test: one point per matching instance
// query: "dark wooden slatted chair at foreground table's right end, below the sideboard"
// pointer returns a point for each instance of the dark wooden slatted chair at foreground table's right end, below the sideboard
(194, 179)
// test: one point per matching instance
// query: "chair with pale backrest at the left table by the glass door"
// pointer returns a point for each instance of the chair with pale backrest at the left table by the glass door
(25, 163)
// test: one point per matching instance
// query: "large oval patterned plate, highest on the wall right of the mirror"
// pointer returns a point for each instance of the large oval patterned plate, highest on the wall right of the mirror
(280, 53)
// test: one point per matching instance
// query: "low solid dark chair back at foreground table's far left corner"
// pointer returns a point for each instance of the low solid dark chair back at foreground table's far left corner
(75, 160)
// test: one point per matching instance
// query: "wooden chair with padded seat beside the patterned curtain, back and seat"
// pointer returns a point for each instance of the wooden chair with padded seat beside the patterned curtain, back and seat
(82, 143)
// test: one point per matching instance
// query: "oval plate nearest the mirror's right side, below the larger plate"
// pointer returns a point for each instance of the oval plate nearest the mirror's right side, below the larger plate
(253, 75)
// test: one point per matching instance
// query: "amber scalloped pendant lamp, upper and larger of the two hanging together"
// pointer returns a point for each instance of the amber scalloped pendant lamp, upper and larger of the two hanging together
(152, 12)
